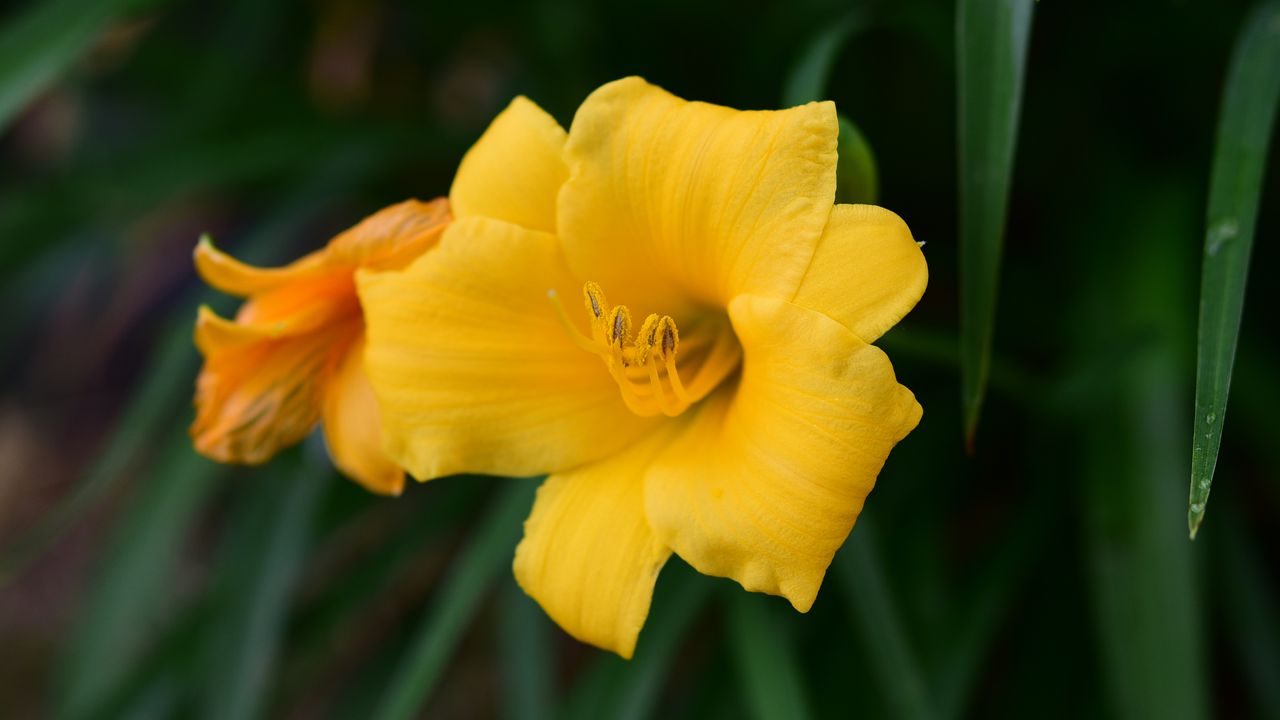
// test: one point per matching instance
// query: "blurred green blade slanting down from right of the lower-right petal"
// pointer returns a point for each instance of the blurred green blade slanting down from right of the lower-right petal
(894, 662)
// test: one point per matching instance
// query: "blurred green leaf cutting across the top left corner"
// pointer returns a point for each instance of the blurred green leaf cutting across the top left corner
(42, 44)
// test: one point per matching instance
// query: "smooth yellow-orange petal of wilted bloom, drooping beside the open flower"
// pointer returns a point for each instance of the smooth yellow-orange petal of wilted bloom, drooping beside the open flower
(353, 427)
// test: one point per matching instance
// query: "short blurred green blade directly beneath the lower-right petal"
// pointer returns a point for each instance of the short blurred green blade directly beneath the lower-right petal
(766, 660)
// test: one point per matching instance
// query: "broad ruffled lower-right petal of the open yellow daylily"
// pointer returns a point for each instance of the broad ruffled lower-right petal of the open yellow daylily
(767, 482)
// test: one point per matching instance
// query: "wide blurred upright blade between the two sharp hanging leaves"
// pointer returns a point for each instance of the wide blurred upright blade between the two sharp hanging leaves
(1144, 576)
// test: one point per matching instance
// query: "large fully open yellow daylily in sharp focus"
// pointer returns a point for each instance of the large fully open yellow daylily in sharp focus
(717, 394)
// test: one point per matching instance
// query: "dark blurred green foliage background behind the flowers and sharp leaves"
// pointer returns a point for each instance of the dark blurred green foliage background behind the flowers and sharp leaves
(1046, 576)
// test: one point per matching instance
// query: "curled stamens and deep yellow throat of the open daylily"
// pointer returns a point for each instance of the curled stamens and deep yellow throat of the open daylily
(648, 367)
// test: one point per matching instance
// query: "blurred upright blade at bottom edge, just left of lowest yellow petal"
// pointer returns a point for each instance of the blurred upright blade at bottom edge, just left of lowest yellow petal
(528, 657)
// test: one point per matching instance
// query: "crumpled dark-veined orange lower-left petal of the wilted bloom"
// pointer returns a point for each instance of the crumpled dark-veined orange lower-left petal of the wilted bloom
(257, 398)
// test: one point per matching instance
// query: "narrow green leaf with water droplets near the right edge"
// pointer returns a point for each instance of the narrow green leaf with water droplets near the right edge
(1244, 133)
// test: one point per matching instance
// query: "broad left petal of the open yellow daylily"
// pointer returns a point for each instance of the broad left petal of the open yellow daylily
(472, 368)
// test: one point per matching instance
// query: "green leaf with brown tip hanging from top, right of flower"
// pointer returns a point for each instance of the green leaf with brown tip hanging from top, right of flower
(991, 56)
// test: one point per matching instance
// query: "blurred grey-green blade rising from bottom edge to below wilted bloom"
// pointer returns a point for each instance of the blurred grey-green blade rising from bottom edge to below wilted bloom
(266, 555)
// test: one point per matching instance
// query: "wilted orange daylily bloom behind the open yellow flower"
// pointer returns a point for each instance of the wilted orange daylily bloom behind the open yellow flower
(295, 354)
